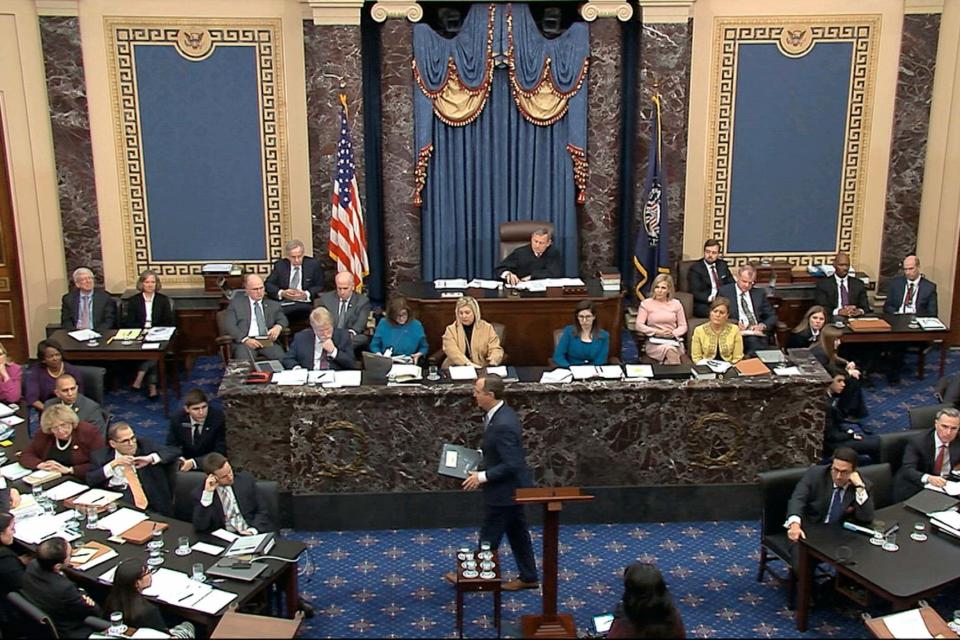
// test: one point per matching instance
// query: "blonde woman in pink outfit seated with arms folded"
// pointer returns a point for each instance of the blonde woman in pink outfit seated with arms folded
(661, 316)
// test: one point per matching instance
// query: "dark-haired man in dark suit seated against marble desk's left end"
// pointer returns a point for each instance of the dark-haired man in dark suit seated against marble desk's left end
(197, 429)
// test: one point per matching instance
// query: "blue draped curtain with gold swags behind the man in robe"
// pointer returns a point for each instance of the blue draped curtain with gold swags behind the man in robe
(497, 165)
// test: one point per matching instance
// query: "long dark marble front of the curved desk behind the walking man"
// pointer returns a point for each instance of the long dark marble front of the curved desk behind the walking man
(383, 439)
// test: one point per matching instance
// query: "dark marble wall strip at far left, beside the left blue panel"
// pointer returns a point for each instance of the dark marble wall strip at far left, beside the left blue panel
(70, 122)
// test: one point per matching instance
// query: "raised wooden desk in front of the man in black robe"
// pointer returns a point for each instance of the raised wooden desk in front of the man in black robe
(530, 318)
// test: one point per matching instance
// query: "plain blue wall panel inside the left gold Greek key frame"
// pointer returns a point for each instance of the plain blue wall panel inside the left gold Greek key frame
(202, 154)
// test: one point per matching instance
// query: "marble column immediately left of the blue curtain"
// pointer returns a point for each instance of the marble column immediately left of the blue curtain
(401, 224)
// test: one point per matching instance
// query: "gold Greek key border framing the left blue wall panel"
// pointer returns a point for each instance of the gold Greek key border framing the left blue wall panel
(122, 35)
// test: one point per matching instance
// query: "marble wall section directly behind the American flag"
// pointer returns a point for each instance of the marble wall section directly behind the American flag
(333, 61)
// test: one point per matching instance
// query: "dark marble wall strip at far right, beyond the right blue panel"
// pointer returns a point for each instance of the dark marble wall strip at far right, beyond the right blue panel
(918, 54)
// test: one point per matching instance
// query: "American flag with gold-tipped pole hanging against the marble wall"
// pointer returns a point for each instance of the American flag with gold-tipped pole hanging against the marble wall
(348, 239)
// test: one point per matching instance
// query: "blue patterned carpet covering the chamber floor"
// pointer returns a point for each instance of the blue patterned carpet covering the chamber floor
(388, 583)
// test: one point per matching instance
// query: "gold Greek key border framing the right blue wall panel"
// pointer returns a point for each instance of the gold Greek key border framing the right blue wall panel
(730, 33)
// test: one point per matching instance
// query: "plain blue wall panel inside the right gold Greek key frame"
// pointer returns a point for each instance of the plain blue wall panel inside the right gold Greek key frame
(788, 147)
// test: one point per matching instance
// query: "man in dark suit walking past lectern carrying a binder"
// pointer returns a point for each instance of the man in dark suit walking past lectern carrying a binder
(504, 471)
